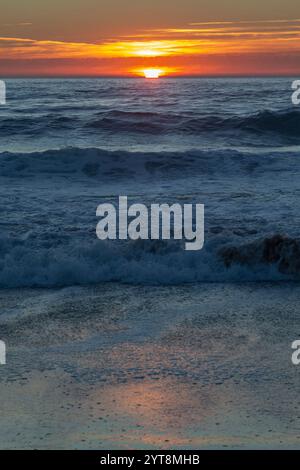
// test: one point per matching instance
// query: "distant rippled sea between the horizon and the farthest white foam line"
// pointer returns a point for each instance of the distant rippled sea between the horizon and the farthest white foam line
(146, 115)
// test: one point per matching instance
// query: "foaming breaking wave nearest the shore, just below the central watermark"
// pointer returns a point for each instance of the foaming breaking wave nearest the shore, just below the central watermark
(50, 262)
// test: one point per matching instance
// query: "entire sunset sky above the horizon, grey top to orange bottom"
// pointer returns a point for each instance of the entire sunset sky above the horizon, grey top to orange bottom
(125, 37)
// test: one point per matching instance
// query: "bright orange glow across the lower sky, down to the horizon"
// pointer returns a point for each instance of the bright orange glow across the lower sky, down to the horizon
(236, 47)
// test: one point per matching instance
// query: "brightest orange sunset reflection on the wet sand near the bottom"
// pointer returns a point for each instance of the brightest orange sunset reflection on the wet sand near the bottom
(164, 409)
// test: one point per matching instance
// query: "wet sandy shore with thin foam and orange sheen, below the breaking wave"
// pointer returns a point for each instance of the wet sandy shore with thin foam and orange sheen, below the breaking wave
(120, 367)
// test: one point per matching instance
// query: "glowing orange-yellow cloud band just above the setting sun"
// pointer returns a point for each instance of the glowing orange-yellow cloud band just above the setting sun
(197, 40)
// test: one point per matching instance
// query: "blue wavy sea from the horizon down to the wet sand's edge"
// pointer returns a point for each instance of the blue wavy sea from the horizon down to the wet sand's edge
(68, 145)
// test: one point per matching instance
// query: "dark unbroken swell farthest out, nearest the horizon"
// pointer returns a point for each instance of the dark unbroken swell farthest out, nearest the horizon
(285, 123)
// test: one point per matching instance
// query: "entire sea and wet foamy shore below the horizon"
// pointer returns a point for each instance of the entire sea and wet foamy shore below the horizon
(123, 344)
